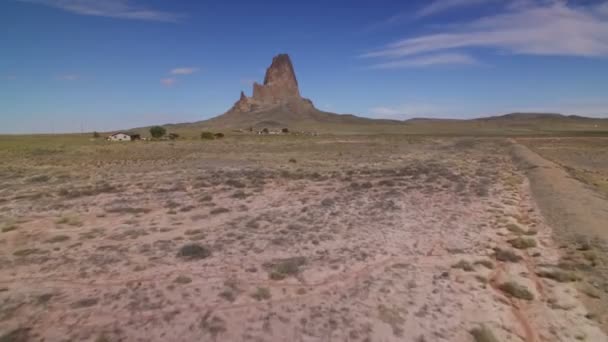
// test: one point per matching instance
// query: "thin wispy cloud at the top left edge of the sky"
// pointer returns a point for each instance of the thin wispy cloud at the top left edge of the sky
(124, 9)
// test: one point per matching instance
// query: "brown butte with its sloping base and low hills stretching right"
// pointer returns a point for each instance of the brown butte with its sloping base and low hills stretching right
(277, 103)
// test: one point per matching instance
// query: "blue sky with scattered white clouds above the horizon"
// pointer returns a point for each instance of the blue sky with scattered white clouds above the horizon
(71, 65)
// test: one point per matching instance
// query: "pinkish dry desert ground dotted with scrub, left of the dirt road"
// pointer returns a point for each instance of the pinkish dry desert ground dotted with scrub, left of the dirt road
(432, 240)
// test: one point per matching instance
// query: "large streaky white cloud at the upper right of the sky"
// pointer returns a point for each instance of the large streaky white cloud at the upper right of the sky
(554, 29)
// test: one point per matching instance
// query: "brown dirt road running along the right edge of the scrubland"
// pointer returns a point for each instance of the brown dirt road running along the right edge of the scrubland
(579, 218)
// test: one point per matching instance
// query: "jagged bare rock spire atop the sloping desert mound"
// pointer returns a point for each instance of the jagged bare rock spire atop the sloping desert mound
(280, 88)
